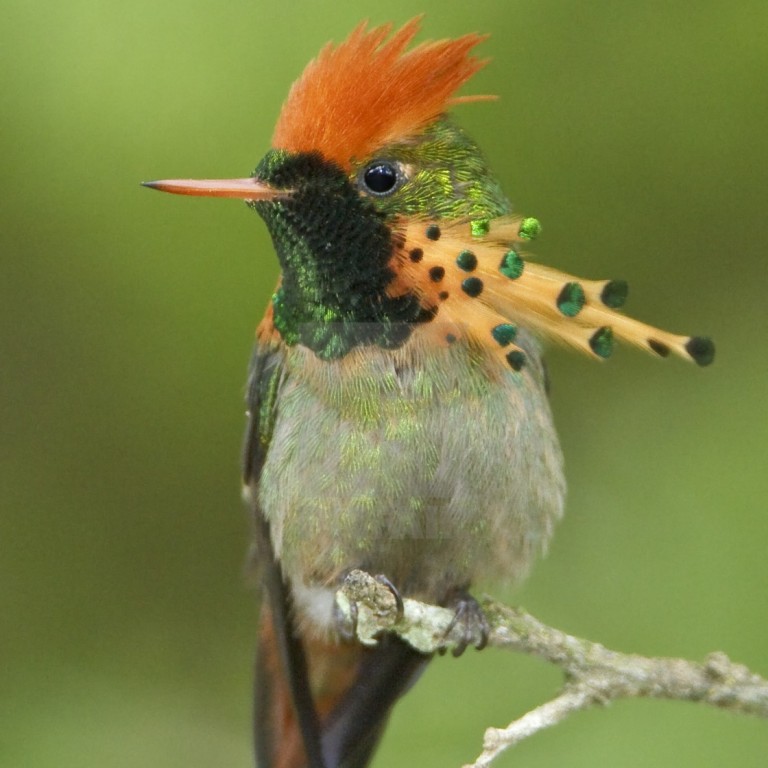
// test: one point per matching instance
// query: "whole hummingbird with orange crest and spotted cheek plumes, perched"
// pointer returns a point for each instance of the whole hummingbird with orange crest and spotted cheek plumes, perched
(398, 416)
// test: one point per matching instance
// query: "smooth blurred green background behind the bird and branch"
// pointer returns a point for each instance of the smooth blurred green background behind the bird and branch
(635, 131)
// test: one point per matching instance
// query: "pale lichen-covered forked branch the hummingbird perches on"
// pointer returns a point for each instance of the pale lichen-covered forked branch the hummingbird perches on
(594, 674)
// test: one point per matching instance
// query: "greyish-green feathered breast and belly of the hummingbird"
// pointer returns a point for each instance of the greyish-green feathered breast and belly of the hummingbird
(423, 464)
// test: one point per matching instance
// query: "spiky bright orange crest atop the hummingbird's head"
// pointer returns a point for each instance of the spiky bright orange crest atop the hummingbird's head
(366, 93)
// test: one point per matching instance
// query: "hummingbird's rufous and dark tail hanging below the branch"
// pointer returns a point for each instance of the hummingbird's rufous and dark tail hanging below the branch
(353, 689)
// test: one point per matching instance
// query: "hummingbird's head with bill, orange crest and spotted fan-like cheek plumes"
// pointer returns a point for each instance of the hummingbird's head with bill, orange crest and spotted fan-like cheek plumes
(384, 216)
